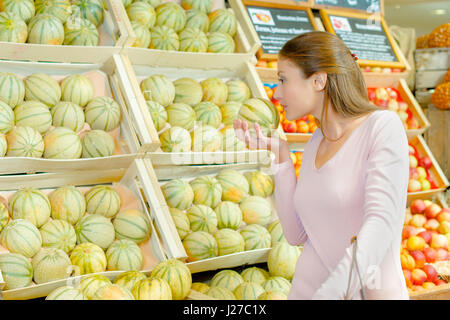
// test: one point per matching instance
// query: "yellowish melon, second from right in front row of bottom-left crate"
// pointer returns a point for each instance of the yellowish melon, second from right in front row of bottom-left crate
(89, 257)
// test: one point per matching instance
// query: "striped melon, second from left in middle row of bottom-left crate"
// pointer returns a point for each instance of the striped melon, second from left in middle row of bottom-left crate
(58, 234)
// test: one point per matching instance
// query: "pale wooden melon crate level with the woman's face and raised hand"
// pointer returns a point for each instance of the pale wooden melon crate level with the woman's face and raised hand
(139, 67)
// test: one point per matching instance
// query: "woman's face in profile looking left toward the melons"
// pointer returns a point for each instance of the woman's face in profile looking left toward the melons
(299, 96)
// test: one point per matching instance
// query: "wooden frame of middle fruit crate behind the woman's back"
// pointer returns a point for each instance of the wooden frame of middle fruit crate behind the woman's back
(435, 171)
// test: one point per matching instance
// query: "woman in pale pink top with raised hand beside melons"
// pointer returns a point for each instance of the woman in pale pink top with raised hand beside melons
(352, 182)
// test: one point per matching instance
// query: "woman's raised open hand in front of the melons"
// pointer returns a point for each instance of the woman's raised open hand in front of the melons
(278, 146)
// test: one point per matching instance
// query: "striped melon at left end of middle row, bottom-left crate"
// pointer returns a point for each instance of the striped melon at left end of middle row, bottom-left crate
(21, 236)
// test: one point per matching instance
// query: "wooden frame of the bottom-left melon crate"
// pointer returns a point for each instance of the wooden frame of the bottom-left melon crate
(133, 179)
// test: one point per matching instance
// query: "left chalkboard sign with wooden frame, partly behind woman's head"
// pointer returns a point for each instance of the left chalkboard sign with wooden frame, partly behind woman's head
(275, 26)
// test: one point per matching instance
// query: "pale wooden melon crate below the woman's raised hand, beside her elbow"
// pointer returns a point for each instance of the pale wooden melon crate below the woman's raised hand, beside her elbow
(163, 174)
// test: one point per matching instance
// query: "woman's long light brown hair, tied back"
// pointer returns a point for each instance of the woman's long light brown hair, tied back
(318, 51)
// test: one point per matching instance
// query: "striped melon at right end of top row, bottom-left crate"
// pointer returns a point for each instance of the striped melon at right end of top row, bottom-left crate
(103, 200)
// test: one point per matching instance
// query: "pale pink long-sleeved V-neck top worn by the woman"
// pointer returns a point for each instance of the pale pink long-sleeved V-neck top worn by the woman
(361, 191)
